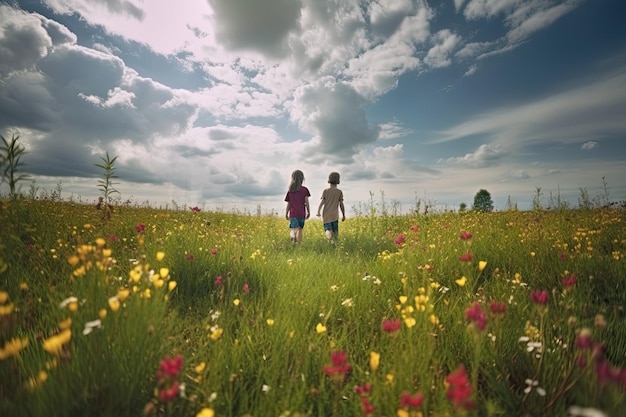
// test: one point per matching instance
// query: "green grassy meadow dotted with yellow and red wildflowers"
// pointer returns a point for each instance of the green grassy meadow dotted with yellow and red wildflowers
(191, 313)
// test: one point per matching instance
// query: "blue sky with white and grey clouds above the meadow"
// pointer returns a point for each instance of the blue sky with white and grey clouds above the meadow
(215, 102)
